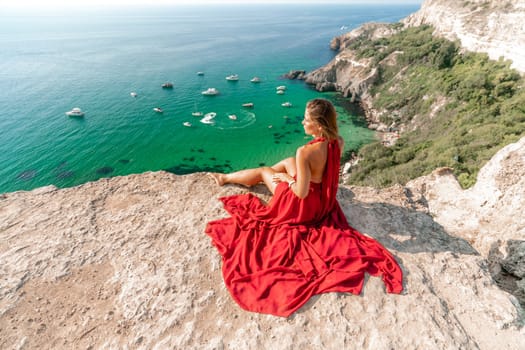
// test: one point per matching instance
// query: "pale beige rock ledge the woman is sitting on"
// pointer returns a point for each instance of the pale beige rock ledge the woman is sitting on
(124, 263)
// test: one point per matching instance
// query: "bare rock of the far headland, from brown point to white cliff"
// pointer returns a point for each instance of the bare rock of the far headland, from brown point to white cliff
(491, 26)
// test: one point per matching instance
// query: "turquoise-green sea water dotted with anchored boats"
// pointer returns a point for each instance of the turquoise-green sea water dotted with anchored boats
(52, 61)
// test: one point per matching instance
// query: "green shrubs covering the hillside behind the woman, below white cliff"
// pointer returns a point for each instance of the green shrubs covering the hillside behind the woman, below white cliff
(461, 108)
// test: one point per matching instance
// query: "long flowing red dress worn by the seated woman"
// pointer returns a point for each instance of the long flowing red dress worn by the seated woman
(276, 256)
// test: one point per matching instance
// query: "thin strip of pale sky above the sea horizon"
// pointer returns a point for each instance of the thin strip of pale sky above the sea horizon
(77, 3)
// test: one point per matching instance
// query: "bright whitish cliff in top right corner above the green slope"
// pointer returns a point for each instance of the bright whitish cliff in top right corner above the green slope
(491, 26)
